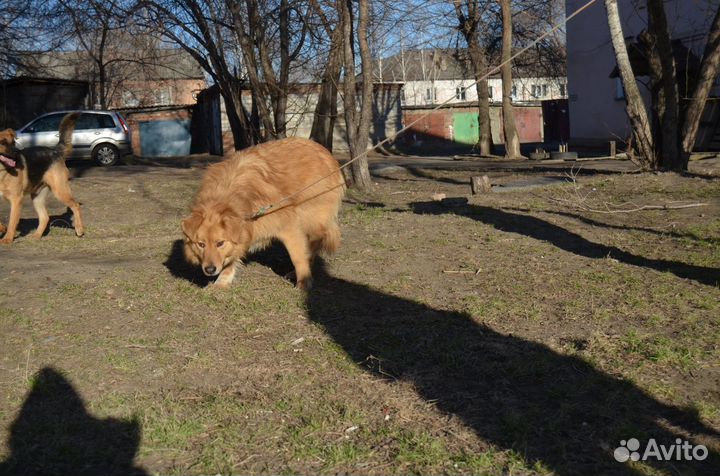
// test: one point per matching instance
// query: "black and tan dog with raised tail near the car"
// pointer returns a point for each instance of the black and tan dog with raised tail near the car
(35, 171)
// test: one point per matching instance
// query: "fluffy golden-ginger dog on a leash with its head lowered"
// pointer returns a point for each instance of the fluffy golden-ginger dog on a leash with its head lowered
(221, 228)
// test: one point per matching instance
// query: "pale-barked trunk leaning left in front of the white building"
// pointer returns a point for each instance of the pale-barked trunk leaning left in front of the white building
(635, 107)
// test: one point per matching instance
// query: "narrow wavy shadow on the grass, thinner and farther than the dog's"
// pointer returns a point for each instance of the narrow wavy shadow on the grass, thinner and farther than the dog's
(566, 240)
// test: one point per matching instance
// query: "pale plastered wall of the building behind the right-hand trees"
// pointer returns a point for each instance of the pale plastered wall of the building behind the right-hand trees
(595, 110)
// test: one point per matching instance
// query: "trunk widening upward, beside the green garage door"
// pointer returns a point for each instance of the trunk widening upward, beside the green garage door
(469, 14)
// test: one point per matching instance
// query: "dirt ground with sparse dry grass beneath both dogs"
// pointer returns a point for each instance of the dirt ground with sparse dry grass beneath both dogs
(503, 333)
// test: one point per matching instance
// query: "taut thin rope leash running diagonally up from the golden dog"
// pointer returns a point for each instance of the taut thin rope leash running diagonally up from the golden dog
(265, 209)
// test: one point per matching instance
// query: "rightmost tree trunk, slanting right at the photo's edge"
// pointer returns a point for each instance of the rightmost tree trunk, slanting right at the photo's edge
(709, 69)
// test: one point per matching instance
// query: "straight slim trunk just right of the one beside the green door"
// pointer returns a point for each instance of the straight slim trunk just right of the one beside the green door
(512, 140)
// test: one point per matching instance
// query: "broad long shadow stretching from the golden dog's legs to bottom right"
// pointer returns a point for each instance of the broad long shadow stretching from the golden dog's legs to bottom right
(554, 409)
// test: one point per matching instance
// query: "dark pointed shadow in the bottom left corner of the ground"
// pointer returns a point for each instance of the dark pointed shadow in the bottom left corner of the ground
(55, 435)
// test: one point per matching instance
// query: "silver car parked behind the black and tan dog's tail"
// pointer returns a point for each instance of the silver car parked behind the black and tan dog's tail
(100, 135)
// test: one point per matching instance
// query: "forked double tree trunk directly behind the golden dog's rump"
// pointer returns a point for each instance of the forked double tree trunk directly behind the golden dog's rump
(357, 122)
